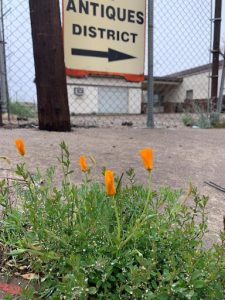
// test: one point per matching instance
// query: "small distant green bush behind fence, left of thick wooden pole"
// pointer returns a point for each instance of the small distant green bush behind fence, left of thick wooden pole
(21, 110)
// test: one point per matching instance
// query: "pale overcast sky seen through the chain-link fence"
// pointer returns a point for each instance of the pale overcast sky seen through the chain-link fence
(181, 41)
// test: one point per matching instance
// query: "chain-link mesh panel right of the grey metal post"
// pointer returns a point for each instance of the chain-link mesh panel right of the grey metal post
(182, 43)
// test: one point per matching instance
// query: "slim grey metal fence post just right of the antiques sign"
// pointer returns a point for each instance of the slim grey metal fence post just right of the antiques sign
(150, 85)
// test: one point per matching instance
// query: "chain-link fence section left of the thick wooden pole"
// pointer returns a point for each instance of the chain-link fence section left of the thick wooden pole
(19, 60)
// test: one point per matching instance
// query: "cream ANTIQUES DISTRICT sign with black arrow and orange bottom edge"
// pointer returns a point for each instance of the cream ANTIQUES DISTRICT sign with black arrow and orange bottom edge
(105, 37)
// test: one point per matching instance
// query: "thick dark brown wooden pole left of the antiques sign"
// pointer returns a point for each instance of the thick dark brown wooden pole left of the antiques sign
(53, 108)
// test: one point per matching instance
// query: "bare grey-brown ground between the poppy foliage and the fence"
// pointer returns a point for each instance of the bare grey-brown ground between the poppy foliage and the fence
(179, 156)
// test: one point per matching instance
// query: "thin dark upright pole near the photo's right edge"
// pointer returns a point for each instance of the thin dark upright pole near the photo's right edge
(216, 49)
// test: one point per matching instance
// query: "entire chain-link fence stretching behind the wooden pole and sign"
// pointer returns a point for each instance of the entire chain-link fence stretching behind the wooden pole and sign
(182, 70)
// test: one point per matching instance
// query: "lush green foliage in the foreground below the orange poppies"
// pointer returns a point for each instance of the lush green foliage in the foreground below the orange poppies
(82, 244)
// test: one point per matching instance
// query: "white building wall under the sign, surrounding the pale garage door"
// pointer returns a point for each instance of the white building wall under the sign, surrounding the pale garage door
(88, 102)
